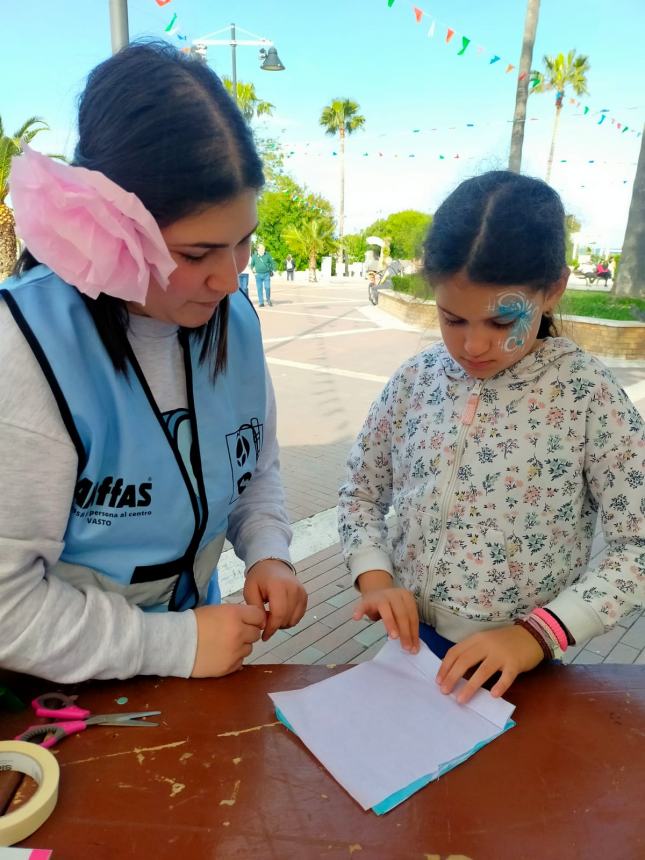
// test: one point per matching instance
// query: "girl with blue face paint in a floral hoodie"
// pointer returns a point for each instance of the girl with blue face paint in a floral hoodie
(496, 449)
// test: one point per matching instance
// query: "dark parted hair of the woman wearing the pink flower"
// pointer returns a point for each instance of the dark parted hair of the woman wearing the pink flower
(160, 124)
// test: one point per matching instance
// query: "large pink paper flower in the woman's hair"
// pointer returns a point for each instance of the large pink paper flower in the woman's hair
(92, 233)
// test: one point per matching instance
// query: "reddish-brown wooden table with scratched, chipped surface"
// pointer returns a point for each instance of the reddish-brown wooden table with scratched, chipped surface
(220, 779)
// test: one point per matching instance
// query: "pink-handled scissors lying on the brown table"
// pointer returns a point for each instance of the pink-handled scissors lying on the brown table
(71, 719)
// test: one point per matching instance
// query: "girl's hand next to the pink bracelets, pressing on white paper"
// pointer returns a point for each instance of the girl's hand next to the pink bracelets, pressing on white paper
(509, 650)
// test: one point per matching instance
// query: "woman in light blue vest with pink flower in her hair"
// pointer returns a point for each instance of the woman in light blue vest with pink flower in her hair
(132, 441)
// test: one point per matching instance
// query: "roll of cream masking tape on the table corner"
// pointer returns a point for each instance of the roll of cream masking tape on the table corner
(42, 767)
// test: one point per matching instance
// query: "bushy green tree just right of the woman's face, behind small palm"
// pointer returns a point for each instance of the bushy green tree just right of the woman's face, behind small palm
(288, 204)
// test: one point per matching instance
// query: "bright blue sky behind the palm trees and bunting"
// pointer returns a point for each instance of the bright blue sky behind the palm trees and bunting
(402, 79)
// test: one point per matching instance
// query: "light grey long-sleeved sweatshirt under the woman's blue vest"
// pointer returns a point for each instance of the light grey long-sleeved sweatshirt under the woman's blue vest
(48, 627)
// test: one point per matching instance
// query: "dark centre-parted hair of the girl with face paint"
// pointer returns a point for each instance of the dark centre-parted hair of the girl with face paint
(500, 228)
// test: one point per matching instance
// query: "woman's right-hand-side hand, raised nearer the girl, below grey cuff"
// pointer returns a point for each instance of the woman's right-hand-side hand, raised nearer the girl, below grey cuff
(272, 581)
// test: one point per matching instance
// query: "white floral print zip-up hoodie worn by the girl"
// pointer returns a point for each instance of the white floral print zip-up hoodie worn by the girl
(496, 485)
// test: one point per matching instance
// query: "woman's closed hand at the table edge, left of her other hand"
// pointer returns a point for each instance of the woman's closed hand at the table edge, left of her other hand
(225, 636)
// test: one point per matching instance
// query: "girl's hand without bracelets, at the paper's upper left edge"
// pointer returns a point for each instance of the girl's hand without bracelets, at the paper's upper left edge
(395, 606)
